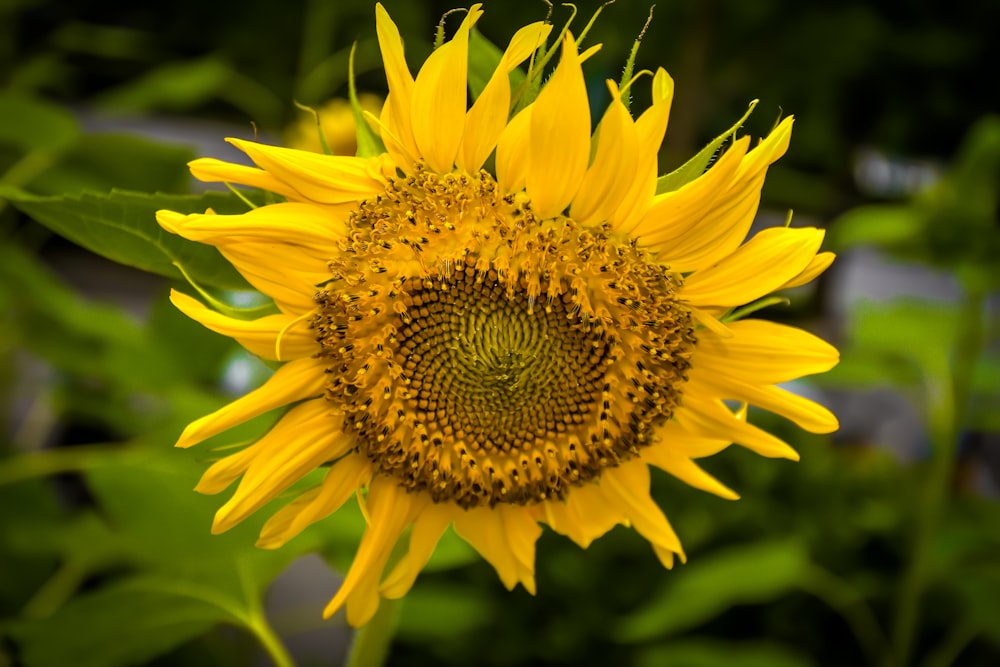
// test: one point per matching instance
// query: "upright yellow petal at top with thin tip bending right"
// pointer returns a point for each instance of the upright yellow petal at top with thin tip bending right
(438, 105)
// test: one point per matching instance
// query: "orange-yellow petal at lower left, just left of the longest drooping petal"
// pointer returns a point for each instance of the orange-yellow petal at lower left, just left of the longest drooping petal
(339, 485)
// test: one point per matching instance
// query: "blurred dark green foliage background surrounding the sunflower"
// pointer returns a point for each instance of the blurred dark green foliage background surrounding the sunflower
(881, 547)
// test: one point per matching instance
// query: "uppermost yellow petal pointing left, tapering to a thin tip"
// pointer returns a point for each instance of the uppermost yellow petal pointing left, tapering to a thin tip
(326, 179)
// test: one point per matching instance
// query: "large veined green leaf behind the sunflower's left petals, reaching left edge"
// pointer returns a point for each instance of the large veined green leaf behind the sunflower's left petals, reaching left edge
(122, 227)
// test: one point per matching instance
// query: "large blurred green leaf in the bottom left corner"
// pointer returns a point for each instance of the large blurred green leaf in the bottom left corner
(126, 623)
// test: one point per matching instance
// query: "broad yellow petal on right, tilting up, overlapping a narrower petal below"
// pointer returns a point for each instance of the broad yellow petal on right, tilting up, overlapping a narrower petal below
(766, 262)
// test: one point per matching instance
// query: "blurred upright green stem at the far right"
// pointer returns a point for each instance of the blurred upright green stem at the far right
(947, 409)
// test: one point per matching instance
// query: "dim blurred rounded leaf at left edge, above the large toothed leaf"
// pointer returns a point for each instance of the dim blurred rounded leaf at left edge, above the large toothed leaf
(29, 124)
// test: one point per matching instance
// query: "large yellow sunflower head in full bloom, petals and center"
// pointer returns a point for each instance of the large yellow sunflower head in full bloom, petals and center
(498, 322)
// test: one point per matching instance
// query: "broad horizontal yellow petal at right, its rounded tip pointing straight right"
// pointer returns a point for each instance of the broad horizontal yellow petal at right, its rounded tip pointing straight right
(764, 352)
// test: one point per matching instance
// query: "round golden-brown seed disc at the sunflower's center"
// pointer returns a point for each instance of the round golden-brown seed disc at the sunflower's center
(483, 356)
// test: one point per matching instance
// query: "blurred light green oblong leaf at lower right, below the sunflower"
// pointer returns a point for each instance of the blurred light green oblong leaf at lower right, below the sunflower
(698, 592)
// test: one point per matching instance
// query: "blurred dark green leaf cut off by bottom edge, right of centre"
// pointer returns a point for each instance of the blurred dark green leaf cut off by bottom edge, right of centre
(713, 653)
